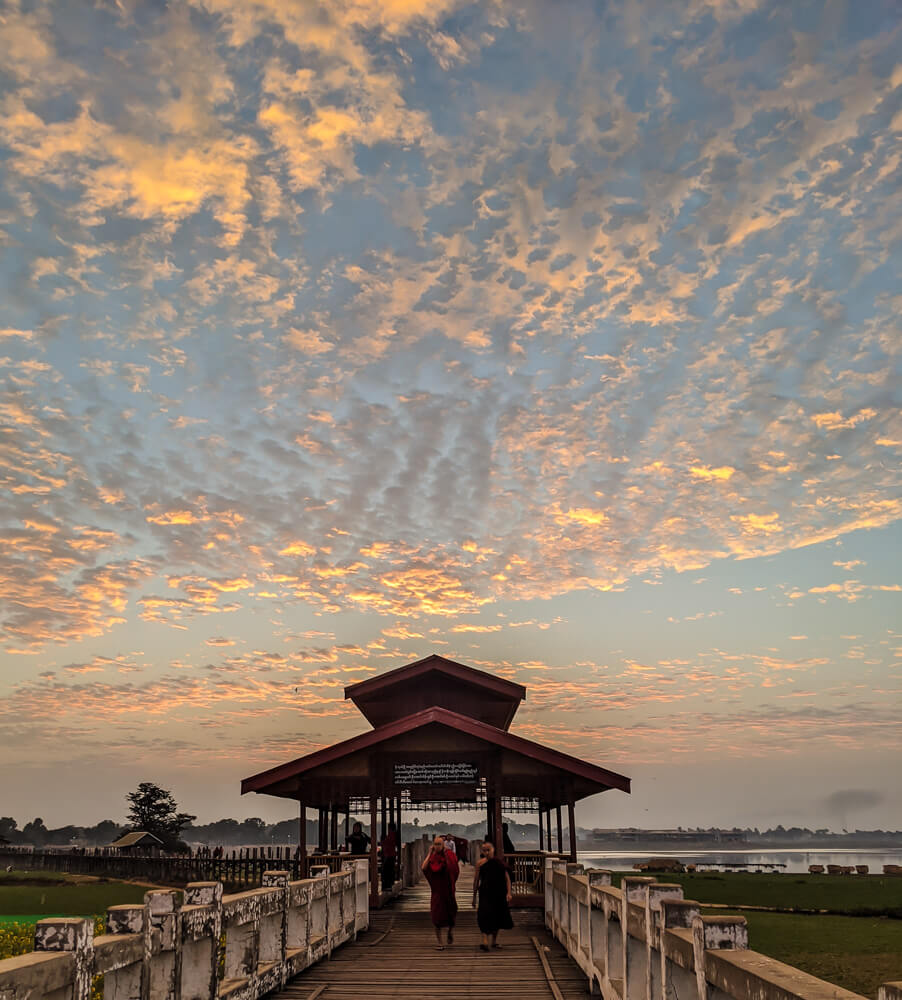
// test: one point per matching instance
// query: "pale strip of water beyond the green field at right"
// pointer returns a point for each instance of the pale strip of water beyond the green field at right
(793, 860)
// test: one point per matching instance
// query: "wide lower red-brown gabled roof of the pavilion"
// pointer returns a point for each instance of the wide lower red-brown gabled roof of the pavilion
(558, 771)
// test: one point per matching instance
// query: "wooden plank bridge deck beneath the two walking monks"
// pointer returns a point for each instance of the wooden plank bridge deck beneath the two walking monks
(397, 958)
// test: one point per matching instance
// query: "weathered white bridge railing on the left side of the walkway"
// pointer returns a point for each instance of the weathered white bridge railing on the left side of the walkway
(212, 945)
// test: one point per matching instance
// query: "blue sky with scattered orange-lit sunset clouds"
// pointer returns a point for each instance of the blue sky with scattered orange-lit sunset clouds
(561, 339)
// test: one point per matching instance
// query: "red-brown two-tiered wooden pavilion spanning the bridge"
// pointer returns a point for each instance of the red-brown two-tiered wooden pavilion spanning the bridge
(440, 741)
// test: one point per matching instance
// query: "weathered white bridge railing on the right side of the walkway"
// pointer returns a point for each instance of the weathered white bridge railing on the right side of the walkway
(645, 941)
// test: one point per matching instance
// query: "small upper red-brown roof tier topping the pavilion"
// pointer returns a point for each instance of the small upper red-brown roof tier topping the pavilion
(436, 680)
